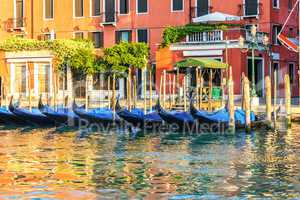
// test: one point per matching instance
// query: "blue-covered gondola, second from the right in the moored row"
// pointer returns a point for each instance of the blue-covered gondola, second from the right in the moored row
(178, 121)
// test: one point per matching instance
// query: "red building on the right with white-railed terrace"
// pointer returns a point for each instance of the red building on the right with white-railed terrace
(267, 15)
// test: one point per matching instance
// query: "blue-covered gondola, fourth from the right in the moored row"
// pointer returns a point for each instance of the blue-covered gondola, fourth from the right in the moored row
(98, 116)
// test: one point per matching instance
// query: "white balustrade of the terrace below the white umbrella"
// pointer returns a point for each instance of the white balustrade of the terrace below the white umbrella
(204, 37)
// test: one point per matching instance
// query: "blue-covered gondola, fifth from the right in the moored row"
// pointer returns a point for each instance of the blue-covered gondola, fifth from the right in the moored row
(61, 115)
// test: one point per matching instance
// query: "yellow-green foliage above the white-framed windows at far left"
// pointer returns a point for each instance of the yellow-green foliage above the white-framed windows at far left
(79, 55)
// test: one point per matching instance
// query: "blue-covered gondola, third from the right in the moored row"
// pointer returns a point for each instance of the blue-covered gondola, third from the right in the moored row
(138, 118)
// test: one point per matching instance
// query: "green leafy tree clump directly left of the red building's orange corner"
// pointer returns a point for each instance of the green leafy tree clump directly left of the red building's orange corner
(119, 58)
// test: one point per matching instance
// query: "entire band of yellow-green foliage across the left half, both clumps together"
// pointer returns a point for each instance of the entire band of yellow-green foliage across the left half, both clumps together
(80, 55)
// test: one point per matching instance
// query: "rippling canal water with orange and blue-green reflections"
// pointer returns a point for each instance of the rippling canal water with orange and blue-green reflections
(46, 164)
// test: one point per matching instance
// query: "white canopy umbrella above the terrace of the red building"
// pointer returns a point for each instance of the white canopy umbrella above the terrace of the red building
(216, 17)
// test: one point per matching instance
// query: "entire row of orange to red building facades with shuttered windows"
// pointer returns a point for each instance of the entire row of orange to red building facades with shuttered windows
(107, 22)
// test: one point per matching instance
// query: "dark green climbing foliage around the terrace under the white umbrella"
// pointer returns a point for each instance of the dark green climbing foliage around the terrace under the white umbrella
(175, 34)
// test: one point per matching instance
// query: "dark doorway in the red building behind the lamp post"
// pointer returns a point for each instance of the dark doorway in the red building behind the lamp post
(258, 73)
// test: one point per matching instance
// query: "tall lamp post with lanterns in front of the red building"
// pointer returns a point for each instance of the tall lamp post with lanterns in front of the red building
(252, 44)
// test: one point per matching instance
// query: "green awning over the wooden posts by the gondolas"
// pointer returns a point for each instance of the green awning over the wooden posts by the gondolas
(201, 62)
